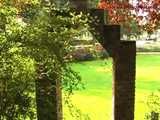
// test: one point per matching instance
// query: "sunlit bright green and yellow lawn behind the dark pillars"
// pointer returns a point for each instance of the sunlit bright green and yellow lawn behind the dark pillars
(96, 99)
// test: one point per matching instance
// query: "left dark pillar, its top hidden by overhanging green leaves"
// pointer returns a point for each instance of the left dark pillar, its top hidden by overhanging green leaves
(48, 96)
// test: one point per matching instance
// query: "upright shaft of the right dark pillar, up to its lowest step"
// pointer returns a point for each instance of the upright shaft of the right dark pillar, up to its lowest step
(124, 80)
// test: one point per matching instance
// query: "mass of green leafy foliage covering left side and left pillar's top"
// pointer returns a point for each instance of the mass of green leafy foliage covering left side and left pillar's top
(41, 37)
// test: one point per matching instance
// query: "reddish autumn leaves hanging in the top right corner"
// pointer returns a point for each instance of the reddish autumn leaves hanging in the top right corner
(145, 14)
